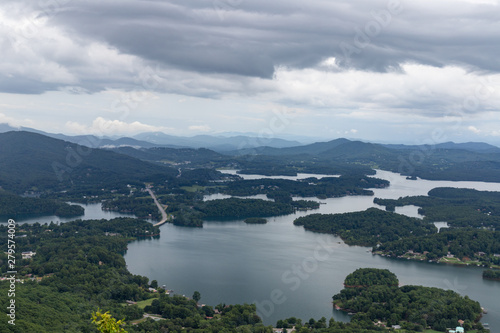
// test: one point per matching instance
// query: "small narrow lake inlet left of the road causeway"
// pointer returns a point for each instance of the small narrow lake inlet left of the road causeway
(92, 212)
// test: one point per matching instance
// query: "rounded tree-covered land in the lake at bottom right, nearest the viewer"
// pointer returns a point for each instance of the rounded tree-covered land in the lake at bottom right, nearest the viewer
(374, 294)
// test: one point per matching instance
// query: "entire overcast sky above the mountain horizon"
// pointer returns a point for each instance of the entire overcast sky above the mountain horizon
(386, 71)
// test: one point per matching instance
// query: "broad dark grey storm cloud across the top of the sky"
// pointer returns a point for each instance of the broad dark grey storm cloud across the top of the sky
(250, 38)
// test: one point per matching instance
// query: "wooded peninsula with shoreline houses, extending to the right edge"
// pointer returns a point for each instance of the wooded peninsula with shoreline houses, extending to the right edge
(399, 236)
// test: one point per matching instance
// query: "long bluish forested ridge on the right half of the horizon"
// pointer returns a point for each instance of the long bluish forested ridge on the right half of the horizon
(472, 161)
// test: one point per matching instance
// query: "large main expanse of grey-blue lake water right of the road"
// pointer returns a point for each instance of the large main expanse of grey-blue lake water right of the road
(288, 271)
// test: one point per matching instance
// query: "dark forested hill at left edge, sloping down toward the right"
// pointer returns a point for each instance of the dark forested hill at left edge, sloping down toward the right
(30, 160)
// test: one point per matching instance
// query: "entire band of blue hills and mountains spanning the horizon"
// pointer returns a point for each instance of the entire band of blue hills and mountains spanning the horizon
(28, 158)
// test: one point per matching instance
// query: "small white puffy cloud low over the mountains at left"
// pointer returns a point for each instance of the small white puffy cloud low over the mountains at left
(102, 127)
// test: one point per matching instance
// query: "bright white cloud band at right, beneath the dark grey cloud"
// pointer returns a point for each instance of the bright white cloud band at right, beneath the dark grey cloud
(419, 89)
